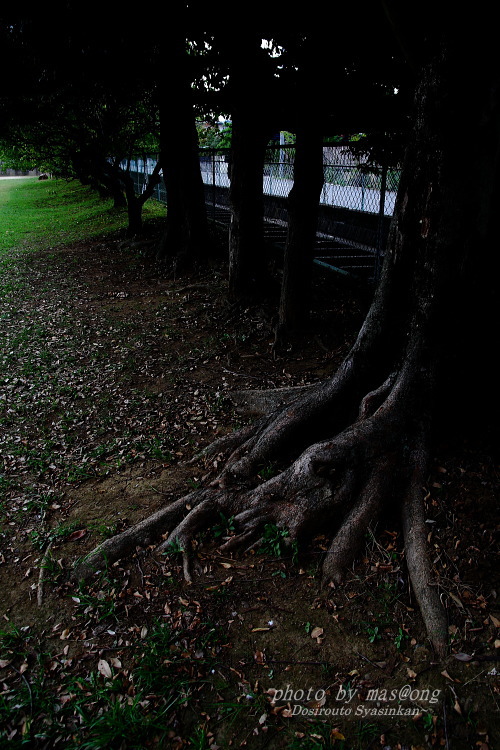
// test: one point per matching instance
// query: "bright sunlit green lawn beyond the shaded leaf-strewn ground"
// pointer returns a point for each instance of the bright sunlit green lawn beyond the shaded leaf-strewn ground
(55, 212)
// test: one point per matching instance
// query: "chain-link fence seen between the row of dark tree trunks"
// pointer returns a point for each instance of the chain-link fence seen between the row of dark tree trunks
(356, 203)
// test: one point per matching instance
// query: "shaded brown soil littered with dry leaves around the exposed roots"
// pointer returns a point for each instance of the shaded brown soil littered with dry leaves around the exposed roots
(148, 361)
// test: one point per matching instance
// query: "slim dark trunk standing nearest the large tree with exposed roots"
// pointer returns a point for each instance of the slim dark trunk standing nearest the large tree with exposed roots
(302, 223)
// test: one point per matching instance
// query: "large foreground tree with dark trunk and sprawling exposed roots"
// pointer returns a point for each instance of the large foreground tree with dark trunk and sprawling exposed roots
(351, 445)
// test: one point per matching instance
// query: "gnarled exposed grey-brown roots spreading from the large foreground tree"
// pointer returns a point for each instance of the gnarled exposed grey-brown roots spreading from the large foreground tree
(341, 484)
